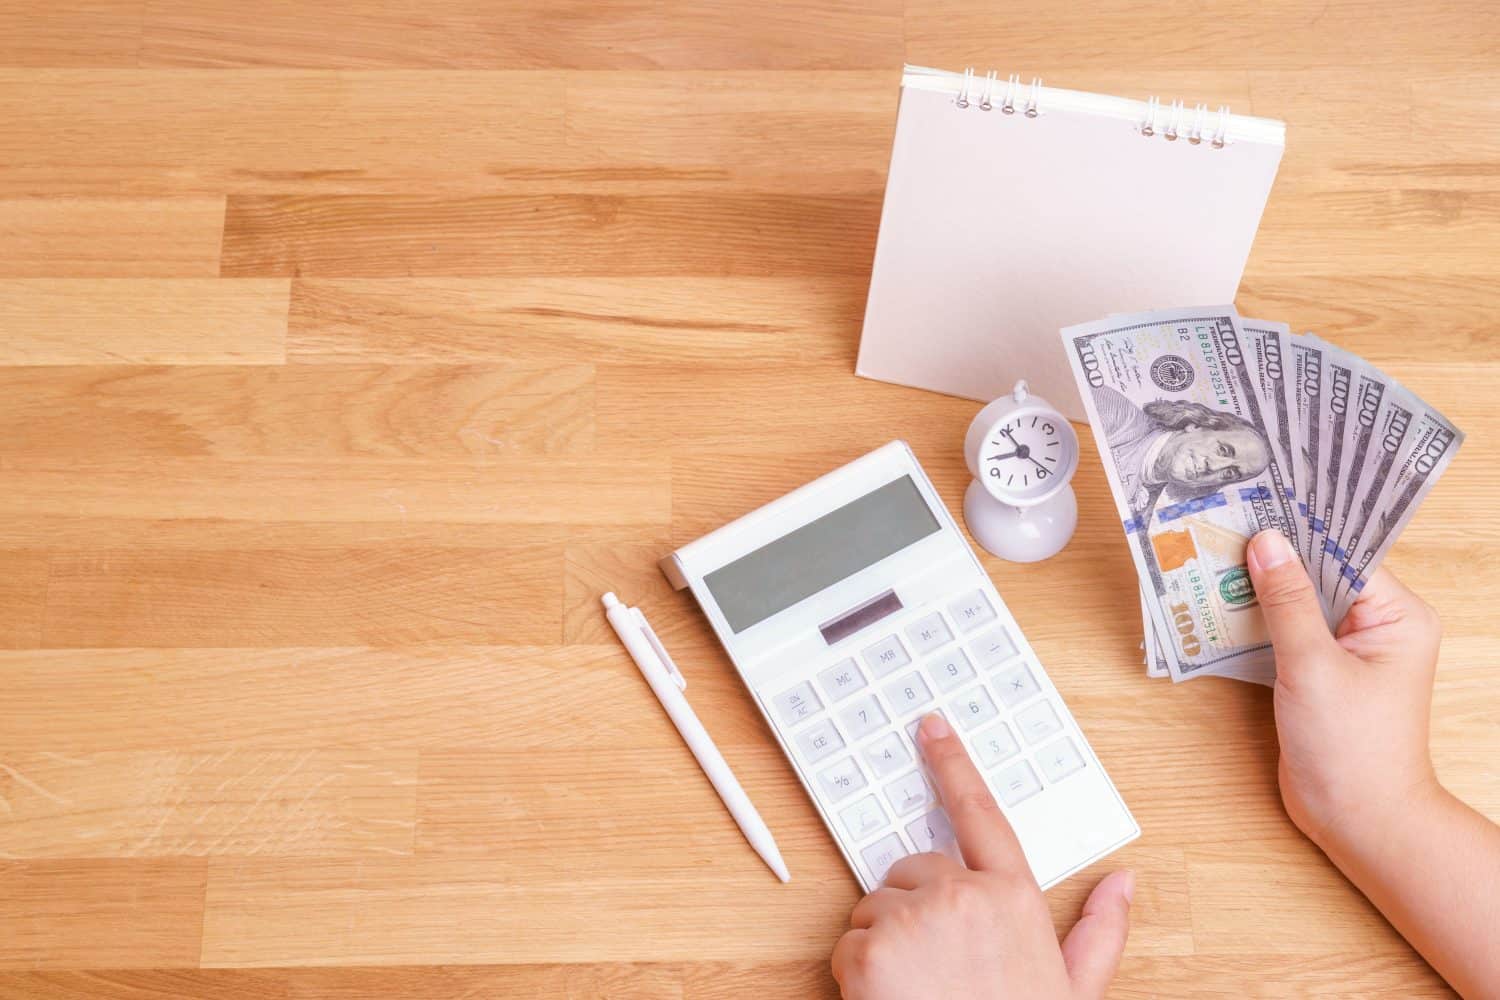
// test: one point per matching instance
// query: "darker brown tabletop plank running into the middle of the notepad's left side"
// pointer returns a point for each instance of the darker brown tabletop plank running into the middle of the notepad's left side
(401, 236)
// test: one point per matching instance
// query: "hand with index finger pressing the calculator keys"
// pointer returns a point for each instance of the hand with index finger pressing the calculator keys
(941, 930)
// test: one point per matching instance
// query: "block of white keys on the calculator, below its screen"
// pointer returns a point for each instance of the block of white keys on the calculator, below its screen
(856, 729)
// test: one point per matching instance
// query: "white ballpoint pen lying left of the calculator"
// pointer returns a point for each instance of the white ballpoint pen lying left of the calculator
(668, 683)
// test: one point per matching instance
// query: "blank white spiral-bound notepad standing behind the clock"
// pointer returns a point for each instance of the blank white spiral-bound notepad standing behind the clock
(1013, 211)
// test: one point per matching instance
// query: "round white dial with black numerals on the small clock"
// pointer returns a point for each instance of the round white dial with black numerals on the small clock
(1028, 457)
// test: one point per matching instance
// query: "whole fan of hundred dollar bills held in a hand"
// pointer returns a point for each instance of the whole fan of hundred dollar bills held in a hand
(1214, 428)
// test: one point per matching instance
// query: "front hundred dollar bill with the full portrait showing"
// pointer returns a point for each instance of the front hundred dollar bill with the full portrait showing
(1189, 457)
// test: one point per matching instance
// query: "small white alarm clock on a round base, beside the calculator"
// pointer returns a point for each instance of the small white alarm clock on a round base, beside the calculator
(1022, 455)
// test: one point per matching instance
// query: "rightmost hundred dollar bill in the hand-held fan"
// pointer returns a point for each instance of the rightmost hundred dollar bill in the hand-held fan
(1427, 452)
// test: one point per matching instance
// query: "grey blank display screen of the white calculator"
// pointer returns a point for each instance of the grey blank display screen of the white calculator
(820, 554)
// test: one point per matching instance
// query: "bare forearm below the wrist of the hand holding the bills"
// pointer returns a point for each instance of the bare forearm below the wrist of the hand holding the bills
(1433, 869)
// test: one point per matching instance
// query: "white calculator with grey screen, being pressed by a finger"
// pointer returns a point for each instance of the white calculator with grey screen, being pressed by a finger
(853, 608)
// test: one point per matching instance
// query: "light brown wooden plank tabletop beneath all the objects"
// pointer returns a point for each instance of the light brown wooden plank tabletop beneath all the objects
(346, 359)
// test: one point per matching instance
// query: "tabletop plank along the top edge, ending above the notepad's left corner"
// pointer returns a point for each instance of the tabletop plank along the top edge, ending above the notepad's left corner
(527, 35)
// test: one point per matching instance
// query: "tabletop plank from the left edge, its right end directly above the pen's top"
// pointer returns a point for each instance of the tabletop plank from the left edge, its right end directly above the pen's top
(331, 412)
